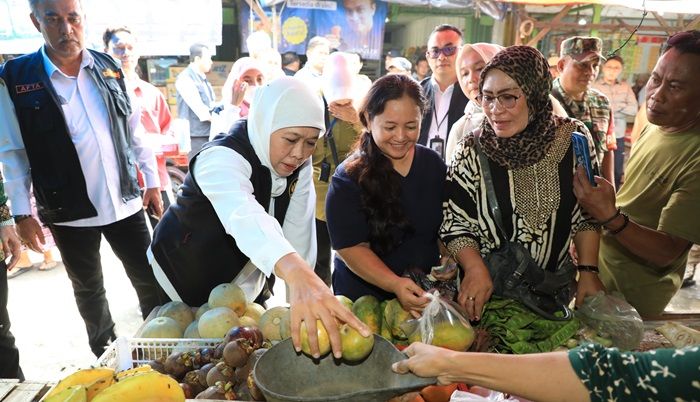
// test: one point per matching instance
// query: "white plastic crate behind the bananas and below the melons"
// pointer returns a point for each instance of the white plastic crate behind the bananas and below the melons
(125, 353)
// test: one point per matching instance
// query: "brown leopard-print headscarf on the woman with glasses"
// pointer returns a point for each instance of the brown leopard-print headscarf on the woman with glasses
(528, 67)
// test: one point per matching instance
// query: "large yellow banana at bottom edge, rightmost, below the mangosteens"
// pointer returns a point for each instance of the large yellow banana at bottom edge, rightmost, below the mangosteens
(149, 386)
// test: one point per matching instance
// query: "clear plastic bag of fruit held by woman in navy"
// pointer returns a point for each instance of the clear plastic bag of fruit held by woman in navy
(441, 324)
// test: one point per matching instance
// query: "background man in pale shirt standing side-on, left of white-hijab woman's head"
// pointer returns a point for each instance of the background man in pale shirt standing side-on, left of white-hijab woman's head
(195, 96)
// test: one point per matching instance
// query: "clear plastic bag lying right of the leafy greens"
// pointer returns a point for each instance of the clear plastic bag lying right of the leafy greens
(613, 318)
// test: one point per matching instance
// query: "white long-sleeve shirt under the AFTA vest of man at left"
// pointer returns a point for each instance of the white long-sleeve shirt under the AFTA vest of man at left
(90, 132)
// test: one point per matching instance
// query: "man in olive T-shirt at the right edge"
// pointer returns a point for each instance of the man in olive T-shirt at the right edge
(644, 250)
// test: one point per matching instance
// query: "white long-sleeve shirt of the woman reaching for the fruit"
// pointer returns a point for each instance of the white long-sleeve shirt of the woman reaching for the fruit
(223, 175)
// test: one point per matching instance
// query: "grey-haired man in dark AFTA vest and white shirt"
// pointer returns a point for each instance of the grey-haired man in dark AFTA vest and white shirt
(78, 142)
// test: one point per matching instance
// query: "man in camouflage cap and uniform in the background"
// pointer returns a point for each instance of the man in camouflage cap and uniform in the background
(580, 59)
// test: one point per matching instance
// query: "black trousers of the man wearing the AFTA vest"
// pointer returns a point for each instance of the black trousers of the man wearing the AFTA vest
(80, 250)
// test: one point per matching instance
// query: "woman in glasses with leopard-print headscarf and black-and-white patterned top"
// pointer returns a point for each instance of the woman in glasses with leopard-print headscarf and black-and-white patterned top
(529, 152)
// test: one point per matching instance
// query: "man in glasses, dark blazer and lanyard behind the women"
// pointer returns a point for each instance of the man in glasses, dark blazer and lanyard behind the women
(446, 101)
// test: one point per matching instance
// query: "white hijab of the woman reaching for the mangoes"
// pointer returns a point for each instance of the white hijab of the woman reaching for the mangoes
(284, 102)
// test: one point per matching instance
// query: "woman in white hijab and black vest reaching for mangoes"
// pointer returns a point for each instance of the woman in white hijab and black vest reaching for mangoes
(246, 212)
